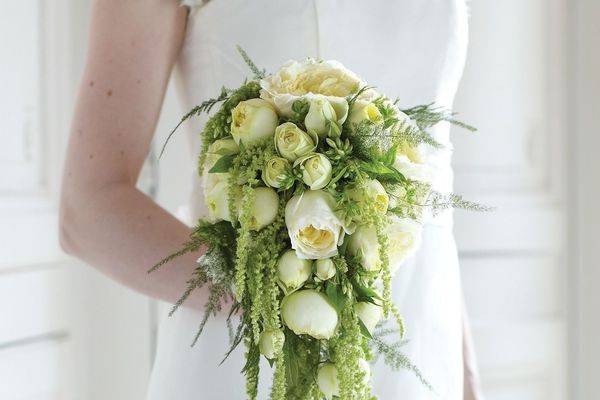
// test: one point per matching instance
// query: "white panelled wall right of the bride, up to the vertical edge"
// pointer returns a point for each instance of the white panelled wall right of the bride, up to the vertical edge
(513, 260)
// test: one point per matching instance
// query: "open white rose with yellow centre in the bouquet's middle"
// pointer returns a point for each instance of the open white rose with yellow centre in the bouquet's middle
(314, 229)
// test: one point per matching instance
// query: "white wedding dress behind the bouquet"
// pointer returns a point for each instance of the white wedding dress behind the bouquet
(413, 49)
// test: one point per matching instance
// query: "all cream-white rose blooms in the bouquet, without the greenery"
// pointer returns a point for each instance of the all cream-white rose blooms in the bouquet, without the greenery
(314, 226)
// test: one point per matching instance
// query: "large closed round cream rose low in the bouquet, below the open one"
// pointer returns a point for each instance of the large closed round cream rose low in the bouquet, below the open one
(308, 312)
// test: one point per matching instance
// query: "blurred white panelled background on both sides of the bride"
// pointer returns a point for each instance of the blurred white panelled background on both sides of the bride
(531, 86)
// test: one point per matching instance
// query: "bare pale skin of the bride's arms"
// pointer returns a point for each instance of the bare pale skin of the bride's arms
(105, 220)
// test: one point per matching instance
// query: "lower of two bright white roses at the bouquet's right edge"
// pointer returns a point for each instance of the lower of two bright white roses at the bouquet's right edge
(404, 239)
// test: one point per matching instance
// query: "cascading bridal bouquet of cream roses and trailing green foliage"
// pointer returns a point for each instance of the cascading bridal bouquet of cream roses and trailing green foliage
(316, 187)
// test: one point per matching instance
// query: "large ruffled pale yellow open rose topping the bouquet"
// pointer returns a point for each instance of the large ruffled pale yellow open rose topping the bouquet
(309, 79)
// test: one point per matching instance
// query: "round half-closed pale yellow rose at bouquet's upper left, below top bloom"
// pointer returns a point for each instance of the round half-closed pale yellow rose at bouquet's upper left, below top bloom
(253, 120)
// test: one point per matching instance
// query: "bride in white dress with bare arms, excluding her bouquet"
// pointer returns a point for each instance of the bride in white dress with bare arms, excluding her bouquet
(133, 48)
